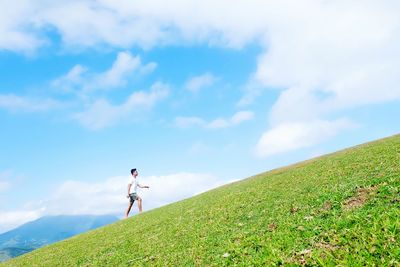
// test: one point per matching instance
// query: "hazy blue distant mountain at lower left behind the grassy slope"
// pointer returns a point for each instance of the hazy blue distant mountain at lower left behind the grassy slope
(47, 230)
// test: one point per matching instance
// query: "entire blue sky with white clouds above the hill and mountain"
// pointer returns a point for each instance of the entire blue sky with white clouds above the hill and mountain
(188, 93)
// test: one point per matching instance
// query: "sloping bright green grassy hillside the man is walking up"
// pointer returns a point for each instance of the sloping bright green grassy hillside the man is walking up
(339, 209)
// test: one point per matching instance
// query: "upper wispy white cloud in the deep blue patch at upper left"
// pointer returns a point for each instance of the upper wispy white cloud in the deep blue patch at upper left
(79, 79)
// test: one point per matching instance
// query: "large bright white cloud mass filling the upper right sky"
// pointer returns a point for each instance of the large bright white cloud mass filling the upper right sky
(327, 58)
